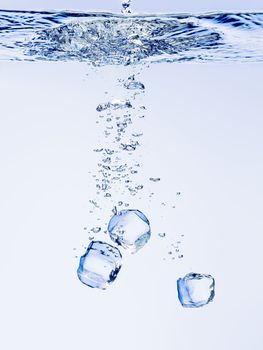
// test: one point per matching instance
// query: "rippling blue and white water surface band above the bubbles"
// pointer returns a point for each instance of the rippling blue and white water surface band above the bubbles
(104, 38)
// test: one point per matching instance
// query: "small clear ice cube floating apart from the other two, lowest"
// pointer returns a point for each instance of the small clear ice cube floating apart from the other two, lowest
(196, 289)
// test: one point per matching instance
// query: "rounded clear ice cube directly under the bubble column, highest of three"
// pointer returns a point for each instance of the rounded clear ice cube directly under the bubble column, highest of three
(130, 229)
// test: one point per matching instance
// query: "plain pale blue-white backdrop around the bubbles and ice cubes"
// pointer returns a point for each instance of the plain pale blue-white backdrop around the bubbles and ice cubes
(202, 136)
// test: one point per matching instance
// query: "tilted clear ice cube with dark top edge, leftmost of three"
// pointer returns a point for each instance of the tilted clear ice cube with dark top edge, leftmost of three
(100, 265)
